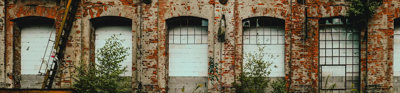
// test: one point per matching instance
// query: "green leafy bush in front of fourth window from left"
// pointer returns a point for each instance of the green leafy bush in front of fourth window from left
(254, 78)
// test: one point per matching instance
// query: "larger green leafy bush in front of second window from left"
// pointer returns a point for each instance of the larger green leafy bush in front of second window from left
(104, 76)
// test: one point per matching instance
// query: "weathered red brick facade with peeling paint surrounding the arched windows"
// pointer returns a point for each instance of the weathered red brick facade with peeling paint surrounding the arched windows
(149, 32)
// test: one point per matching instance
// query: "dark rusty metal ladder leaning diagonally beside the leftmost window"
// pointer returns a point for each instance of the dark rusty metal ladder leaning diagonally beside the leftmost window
(60, 43)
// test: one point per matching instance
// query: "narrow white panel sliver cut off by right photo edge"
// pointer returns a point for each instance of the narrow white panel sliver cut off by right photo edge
(396, 51)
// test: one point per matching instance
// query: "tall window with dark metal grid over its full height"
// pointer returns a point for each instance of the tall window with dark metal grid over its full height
(339, 55)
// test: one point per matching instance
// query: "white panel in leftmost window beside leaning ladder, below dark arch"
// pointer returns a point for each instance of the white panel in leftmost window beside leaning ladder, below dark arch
(34, 39)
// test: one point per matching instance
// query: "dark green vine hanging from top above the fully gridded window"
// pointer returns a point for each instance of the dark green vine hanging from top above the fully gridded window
(360, 11)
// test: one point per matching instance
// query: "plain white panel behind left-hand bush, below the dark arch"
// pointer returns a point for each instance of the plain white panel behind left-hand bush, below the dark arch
(123, 33)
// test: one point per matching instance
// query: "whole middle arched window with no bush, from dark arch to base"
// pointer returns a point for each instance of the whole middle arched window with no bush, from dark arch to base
(188, 54)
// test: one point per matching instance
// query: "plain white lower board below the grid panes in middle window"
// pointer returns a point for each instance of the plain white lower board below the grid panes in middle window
(188, 60)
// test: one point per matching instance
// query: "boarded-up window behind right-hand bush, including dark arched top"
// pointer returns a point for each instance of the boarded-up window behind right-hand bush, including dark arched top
(270, 34)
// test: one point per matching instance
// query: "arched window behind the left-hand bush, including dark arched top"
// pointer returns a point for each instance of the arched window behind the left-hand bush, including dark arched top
(105, 27)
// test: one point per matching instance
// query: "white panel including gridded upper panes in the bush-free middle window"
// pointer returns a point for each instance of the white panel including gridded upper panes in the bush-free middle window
(188, 51)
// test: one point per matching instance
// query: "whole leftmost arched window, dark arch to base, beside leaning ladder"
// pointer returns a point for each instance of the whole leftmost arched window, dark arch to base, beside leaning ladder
(35, 36)
